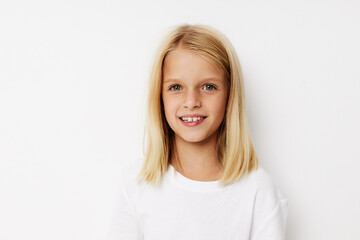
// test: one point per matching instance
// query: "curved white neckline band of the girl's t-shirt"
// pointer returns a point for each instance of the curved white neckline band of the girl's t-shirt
(192, 184)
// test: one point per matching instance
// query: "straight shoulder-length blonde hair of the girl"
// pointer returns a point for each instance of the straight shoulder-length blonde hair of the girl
(234, 147)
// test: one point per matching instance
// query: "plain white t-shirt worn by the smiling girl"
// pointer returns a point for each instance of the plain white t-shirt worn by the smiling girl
(181, 208)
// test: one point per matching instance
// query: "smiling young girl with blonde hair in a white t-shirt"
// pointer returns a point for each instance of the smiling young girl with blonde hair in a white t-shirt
(200, 177)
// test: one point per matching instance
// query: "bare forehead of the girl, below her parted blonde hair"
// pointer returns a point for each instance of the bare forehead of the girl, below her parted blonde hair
(183, 63)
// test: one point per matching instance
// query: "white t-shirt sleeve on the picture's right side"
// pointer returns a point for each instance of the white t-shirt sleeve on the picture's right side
(270, 214)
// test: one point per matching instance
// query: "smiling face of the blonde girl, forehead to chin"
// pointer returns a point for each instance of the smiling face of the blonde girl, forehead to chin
(194, 93)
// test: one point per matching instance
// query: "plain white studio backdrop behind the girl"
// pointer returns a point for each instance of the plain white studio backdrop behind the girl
(73, 77)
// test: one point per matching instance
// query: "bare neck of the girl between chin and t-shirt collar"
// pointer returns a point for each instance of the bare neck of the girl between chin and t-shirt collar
(197, 161)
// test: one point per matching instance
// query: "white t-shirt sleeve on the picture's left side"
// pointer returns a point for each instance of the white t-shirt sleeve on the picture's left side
(124, 224)
